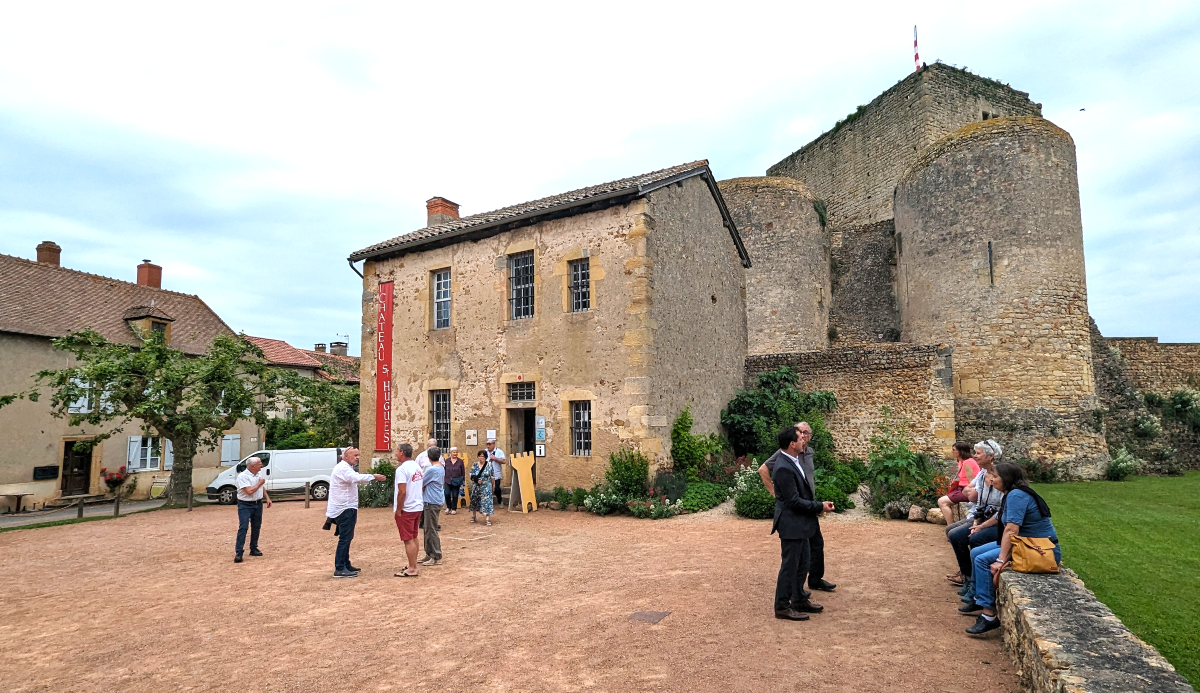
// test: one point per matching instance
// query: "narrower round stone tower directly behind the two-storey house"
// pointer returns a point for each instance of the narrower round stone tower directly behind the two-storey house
(788, 288)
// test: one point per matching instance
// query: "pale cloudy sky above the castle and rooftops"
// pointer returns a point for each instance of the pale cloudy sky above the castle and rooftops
(249, 148)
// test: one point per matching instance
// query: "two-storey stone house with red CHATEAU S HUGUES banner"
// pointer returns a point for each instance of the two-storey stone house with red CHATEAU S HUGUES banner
(579, 323)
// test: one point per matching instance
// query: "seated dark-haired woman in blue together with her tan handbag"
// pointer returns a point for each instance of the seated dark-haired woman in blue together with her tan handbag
(1030, 543)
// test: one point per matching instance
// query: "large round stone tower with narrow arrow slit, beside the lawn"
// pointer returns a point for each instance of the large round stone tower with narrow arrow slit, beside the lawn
(991, 261)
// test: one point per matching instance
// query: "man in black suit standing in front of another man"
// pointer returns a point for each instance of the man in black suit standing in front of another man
(796, 521)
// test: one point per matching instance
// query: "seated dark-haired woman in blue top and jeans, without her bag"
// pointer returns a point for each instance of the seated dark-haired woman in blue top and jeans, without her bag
(1023, 514)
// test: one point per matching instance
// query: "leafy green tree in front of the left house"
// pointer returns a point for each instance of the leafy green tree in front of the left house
(191, 401)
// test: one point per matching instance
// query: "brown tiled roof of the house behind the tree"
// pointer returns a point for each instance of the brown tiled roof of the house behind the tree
(52, 302)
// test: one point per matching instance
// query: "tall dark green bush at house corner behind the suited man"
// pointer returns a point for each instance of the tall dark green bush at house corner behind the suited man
(753, 418)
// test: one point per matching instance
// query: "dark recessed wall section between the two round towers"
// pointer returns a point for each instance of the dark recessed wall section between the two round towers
(865, 304)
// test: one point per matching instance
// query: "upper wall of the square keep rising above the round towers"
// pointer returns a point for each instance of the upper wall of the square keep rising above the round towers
(855, 166)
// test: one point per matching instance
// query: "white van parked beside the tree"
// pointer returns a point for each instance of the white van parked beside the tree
(287, 471)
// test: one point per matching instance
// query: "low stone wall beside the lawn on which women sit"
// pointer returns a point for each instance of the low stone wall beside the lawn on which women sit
(1064, 640)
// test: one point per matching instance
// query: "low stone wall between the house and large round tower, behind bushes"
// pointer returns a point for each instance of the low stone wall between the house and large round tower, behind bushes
(914, 382)
